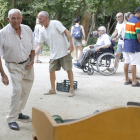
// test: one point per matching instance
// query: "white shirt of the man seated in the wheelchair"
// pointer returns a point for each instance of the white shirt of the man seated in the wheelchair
(104, 39)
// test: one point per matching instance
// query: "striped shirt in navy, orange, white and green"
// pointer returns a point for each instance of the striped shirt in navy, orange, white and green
(131, 43)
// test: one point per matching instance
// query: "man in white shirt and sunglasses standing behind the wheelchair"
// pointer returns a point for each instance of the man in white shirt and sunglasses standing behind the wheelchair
(117, 36)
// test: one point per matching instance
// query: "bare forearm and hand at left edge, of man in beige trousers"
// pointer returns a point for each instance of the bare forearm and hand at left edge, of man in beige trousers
(4, 76)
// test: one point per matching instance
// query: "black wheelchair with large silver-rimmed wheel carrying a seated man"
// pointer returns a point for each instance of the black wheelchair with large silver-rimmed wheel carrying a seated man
(102, 61)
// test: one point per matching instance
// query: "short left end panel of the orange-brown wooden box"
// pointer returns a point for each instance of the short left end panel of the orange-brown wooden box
(43, 124)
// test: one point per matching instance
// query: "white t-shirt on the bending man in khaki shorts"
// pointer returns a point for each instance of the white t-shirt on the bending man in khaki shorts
(55, 38)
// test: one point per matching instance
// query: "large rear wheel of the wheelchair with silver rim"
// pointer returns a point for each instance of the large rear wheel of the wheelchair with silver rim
(105, 64)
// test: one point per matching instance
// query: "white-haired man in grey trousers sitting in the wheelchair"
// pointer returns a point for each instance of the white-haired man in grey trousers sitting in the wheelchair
(103, 43)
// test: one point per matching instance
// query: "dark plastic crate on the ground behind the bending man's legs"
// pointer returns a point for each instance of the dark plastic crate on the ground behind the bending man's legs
(65, 86)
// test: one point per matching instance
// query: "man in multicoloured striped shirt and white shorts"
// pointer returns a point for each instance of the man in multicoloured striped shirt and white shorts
(132, 47)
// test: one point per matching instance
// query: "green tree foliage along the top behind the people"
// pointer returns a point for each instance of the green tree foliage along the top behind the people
(66, 10)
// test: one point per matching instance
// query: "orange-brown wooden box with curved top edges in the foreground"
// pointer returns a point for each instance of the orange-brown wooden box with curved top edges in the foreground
(122, 123)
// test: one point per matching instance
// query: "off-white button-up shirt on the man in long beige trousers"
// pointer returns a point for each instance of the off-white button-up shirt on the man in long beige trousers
(12, 48)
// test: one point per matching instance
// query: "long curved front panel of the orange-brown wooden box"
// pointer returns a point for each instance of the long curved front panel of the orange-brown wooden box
(115, 124)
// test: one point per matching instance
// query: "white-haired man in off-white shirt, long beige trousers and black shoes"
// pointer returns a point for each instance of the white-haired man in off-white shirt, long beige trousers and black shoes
(18, 50)
